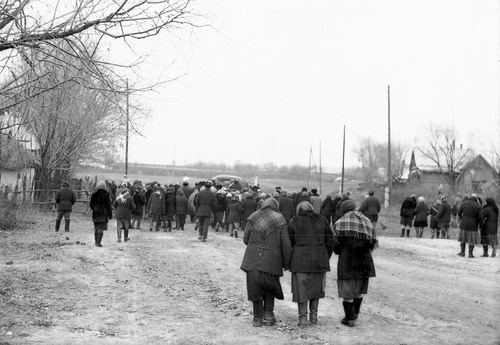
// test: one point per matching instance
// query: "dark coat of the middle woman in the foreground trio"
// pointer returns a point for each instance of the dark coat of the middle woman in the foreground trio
(312, 243)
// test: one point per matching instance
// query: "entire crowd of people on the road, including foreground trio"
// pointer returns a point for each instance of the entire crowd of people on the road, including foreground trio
(282, 230)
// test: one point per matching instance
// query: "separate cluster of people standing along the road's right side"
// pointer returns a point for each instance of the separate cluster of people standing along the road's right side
(477, 221)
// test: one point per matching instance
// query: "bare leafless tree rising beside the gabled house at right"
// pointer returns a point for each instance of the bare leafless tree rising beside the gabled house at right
(440, 146)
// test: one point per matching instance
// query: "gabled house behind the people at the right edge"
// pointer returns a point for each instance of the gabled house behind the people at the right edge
(478, 176)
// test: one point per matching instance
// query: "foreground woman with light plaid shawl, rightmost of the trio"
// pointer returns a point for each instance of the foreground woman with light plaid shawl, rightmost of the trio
(354, 238)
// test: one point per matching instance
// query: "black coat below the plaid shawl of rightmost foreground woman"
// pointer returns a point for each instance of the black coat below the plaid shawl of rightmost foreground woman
(355, 258)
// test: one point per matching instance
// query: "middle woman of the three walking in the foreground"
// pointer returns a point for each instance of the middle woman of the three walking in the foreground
(312, 247)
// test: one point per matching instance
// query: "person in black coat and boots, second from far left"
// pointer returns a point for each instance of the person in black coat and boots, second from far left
(100, 204)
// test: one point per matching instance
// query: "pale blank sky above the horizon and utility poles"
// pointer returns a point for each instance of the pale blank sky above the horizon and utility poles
(272, 80)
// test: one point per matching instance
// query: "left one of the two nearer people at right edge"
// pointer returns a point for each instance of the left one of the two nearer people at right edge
(470, 214)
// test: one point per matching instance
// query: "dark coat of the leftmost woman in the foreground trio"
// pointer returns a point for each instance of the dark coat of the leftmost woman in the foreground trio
(269, 253)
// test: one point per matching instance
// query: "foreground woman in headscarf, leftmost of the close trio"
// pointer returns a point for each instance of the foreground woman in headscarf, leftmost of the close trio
(268, 252)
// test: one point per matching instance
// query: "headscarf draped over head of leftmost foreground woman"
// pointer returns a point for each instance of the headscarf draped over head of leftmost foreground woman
(267, 218)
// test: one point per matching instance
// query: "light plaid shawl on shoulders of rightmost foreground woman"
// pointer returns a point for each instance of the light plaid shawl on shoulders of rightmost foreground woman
(355, 224)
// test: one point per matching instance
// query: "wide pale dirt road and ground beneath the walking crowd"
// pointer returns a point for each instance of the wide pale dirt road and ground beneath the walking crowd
(169, 288)
